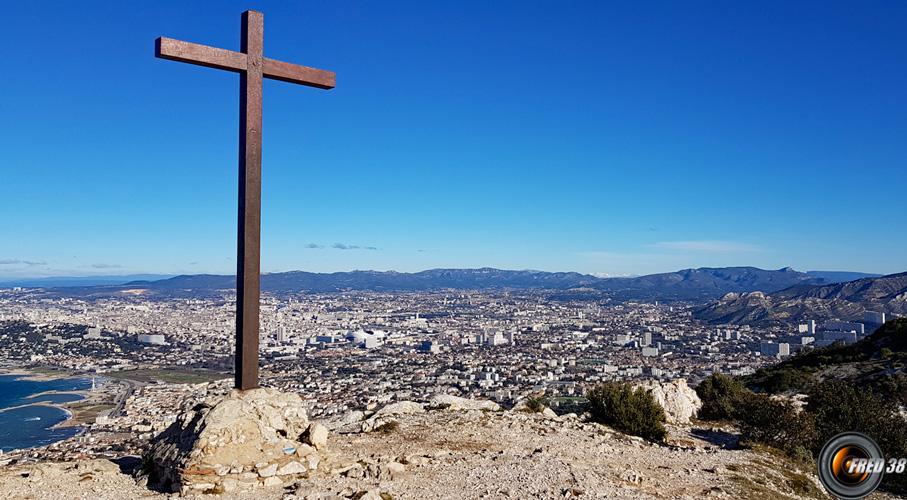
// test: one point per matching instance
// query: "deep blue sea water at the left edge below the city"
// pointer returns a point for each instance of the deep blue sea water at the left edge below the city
(32, 426)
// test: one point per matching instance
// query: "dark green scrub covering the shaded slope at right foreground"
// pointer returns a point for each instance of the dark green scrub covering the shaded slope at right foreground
(848, 388)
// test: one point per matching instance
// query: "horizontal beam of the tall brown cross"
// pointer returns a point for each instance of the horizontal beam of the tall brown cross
(212, 57)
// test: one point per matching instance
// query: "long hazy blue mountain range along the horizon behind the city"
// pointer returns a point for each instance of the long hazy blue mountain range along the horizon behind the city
(700, 284)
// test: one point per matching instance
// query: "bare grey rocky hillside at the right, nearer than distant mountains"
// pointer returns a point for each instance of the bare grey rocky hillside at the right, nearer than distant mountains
(846, 301)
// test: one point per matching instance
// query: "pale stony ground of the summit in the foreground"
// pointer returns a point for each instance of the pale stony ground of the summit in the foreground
(454, 453)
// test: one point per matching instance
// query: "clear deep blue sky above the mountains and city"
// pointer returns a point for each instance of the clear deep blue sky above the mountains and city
(600, 137)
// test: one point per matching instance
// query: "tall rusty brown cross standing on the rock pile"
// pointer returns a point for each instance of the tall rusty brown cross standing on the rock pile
(252, 66)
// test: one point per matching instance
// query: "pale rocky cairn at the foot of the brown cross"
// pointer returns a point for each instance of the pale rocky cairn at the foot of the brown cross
(241, 440)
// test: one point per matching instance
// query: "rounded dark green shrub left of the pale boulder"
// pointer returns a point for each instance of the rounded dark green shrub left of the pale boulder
(633, 411)
